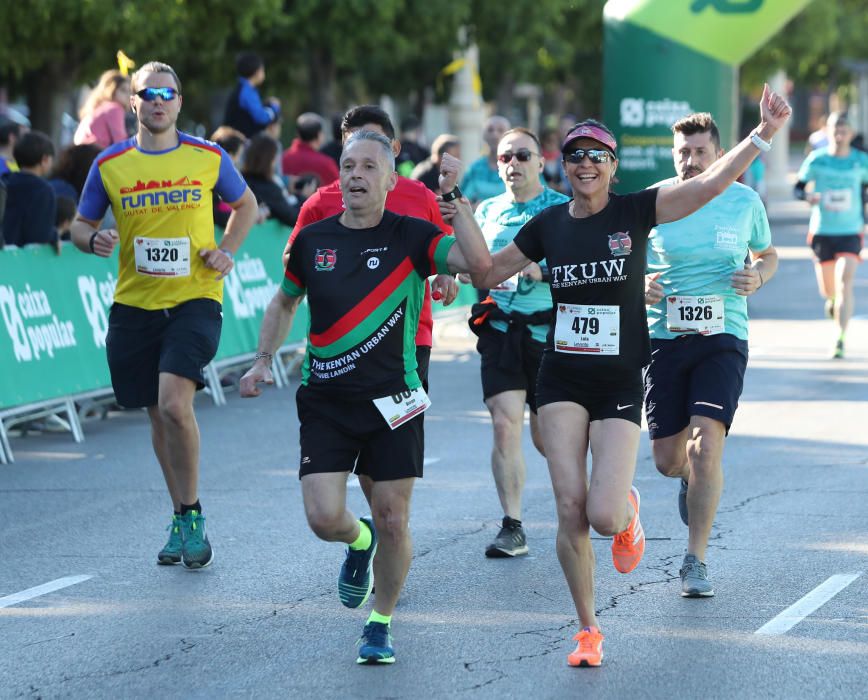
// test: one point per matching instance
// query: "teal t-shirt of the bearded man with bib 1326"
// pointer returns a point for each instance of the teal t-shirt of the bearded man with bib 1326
(698, 255)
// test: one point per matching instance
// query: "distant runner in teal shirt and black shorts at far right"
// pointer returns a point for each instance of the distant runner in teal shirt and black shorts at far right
(839, 174)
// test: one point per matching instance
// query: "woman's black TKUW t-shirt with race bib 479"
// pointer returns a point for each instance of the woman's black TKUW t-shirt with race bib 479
(597, 267)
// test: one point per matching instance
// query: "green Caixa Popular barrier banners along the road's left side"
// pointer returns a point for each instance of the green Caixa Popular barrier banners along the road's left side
(54, 311)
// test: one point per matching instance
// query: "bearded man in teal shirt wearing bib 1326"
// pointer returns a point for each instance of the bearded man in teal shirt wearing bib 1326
(696, 292)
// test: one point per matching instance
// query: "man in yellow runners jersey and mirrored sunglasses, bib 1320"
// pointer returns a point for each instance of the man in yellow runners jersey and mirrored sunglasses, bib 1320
(165, 322)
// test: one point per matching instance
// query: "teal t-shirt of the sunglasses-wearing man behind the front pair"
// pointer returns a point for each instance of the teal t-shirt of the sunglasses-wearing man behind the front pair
(500, 218)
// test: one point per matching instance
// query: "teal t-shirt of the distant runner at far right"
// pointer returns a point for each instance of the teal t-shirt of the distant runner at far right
(839, 182)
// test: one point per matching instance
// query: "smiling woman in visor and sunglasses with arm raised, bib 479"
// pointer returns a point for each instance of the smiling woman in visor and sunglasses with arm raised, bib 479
(589, 390)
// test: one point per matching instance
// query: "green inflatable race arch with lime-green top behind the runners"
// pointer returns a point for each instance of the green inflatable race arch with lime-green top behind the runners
(665, 59)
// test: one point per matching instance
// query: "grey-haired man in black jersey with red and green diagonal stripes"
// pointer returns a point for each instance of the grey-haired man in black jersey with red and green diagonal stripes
(364, 274)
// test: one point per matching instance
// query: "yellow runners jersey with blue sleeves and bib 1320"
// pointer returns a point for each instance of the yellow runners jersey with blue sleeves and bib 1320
(162, 202)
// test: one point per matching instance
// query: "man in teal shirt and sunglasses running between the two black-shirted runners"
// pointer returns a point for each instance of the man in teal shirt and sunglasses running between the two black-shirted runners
(512, 332)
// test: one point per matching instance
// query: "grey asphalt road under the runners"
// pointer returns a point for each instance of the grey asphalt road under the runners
(264, 620)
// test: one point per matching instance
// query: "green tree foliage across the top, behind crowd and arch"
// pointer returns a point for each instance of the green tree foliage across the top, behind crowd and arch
(323, 55)
